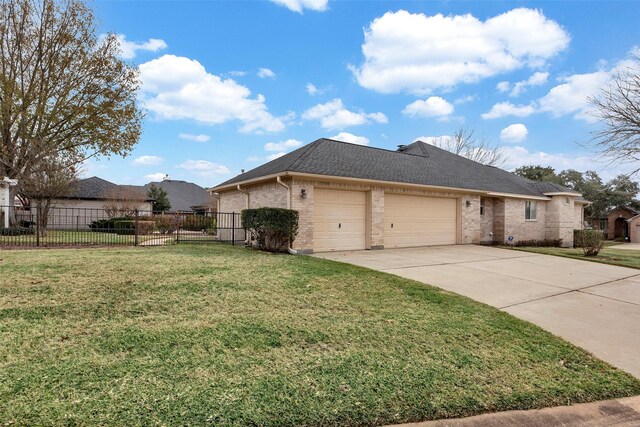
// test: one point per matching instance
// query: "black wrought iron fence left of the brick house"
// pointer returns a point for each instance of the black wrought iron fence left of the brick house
(70, 226)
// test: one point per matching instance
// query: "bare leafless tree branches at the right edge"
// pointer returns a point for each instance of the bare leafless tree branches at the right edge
(617, 107)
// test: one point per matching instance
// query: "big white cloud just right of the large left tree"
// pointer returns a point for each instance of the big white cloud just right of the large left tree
(179, 88)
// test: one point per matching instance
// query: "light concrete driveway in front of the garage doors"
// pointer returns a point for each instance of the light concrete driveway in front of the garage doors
(594, 306)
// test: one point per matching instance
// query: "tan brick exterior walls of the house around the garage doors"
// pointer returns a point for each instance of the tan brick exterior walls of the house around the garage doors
(503, 216)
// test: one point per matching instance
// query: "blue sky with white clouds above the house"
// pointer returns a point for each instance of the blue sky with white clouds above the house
(228, 85)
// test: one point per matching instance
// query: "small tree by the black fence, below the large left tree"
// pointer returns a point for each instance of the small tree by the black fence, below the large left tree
(51, 179)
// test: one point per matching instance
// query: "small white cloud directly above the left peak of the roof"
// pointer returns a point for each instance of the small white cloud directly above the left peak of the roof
(334, 115)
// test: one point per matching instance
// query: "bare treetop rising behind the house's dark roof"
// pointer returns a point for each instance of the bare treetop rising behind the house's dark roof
(464, 143)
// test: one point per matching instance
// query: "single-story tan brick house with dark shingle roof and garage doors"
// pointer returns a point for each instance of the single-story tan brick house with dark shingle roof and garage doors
(357, 197)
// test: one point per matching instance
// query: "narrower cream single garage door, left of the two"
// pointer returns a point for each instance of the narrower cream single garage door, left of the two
(339, 219)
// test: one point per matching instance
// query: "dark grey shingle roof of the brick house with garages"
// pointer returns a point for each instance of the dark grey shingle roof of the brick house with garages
(417, 163)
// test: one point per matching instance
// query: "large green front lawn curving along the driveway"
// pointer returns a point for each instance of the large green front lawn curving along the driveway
(190, 335)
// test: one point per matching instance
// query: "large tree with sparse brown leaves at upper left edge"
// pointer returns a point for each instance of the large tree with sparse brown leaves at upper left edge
(63, 90)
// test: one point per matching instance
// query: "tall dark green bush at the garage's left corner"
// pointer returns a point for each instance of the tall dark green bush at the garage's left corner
(274, 229)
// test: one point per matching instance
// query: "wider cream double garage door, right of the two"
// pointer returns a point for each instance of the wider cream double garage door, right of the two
(419, 221)
